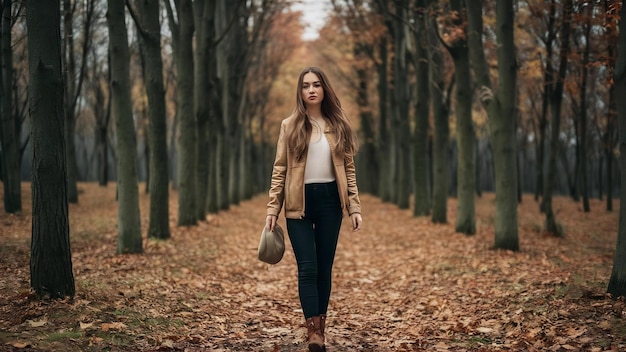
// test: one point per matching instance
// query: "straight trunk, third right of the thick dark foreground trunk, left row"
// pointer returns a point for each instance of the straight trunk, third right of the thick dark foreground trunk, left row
(187, 132)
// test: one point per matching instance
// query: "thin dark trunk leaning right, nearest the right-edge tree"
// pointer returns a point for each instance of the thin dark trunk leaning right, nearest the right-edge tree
(556, 99)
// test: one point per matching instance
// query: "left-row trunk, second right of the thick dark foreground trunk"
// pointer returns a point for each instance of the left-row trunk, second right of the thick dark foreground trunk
(150, 35)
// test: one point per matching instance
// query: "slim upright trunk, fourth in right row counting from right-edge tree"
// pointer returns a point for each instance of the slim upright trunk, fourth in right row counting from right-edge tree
(442, 129)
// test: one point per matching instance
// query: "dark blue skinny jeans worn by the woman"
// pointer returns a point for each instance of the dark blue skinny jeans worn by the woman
(314, 241)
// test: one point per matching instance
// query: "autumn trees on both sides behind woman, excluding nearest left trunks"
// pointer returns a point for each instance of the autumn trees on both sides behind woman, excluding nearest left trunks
(210, 82)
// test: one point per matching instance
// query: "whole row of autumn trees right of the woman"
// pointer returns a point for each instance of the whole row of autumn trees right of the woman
(539, 69)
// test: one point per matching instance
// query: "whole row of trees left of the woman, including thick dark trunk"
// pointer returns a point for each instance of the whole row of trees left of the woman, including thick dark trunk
(197, 94)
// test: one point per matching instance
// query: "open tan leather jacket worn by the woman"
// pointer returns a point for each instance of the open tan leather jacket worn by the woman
(288, 178)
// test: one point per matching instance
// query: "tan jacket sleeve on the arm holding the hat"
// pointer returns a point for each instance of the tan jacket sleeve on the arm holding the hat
(277, 185)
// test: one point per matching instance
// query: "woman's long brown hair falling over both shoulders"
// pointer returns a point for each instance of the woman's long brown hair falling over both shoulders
(346, 139)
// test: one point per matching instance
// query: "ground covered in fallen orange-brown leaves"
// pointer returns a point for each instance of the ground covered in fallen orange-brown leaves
(400, 284)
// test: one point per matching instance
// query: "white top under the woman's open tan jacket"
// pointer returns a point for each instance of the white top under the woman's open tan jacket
(319, 164)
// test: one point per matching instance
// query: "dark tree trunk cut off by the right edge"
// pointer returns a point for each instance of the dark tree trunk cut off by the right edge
(617, 282)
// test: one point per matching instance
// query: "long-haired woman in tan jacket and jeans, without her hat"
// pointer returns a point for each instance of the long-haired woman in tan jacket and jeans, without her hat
(314, 176)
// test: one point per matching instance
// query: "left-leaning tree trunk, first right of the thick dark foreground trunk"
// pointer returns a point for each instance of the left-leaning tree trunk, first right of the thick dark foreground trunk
(129, 222)
